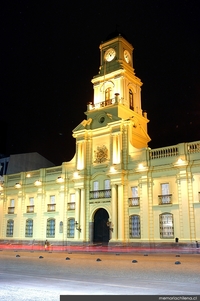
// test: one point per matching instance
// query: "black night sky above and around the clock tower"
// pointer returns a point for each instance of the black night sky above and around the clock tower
(50, 52)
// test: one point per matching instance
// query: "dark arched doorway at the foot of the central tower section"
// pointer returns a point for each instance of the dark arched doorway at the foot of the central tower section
(101, 230)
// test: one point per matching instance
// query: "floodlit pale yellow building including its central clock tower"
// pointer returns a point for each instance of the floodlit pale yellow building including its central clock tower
(115, 189)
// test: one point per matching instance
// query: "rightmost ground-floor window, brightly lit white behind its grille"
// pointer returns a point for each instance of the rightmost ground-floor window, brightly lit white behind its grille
(166, 225)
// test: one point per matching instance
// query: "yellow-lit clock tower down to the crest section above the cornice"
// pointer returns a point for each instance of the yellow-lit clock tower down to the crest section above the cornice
(116, 107)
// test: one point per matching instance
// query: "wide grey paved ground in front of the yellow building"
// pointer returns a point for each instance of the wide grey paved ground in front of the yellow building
(39, 275)
